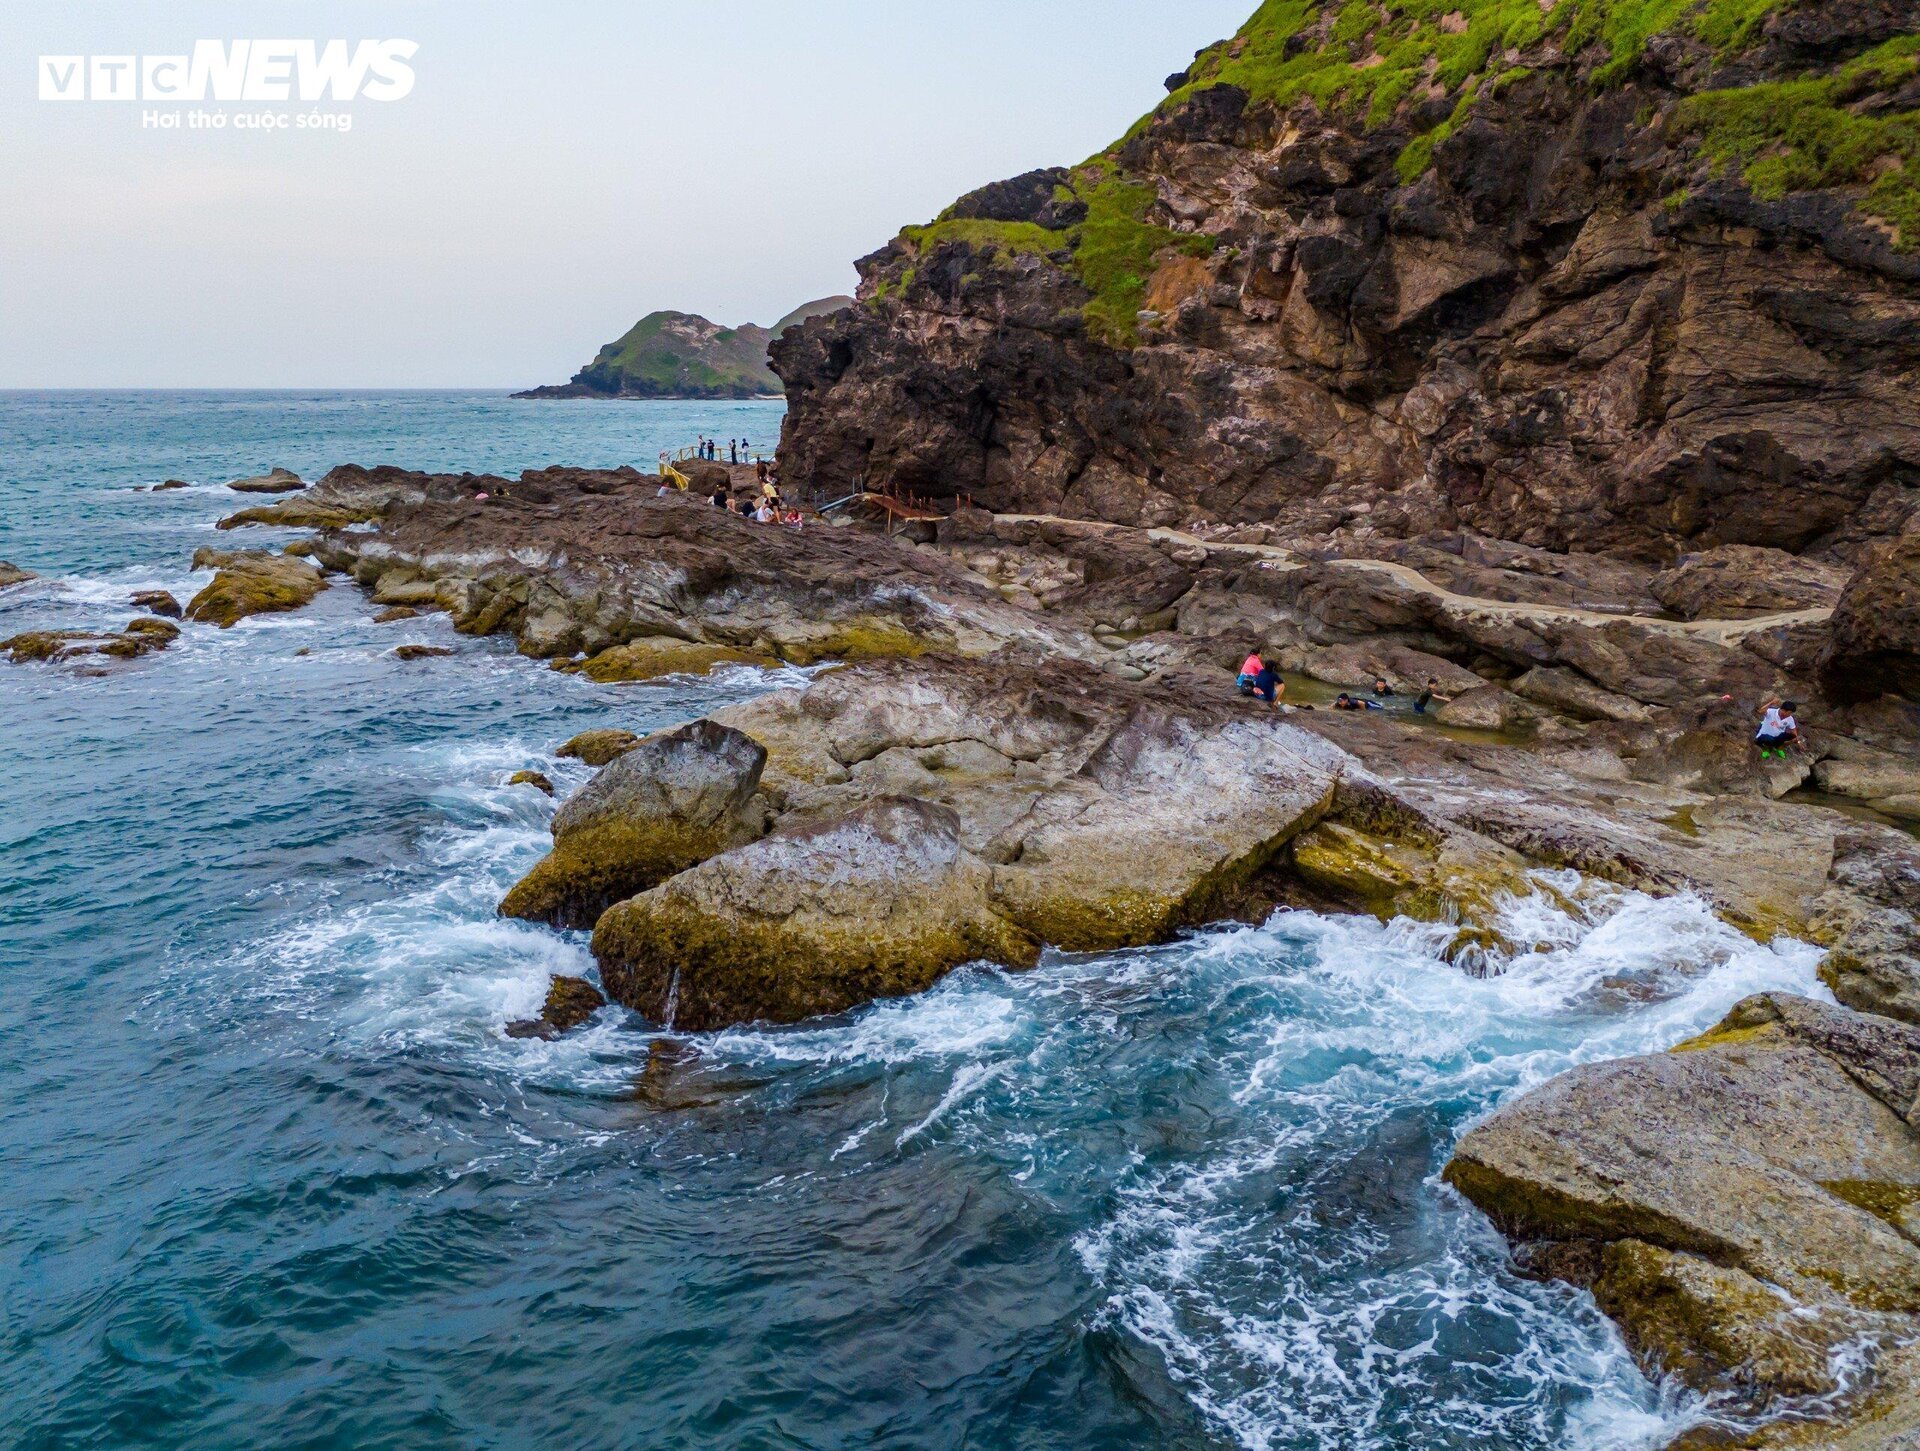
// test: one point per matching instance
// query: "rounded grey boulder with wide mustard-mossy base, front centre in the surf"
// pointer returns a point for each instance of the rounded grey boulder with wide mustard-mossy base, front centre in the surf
(817, 918)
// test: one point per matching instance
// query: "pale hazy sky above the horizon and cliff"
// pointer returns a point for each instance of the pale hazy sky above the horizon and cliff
(560, 170)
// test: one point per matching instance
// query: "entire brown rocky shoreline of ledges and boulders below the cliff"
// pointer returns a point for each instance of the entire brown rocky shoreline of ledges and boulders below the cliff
(1032, 740)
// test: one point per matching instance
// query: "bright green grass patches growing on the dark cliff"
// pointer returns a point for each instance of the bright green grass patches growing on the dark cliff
(1374, 60)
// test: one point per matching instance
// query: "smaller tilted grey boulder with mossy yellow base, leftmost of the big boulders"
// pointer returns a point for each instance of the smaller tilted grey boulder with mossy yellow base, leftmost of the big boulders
(661, 807)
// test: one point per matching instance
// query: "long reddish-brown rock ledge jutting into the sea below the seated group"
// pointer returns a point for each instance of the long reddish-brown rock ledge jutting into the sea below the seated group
(585, 563)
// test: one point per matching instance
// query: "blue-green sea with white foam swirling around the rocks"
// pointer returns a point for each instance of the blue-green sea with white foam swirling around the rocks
(274, 1177)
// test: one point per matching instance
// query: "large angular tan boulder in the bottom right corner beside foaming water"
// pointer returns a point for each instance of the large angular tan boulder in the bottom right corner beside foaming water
(1748, 1202)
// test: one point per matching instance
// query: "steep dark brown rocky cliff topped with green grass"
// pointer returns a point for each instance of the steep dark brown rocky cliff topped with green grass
(1608, 275)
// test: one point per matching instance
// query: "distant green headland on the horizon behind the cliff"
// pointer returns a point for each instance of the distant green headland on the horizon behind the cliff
(686, 356)
